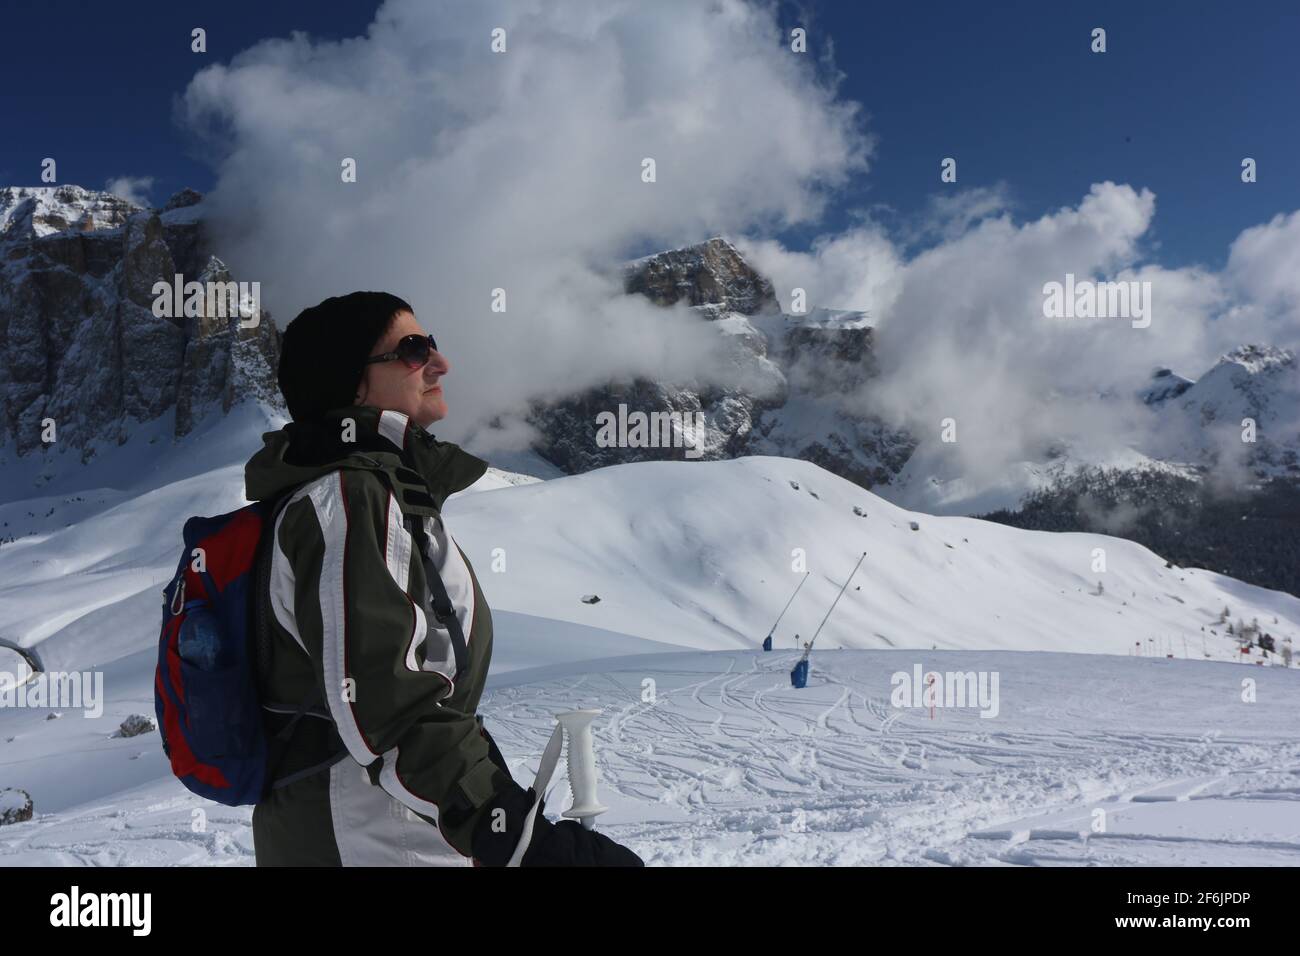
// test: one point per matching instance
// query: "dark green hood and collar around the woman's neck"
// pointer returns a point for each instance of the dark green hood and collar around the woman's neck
(305, 451)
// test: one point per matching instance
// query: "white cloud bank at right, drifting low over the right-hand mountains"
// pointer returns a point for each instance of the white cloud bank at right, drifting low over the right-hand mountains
(961, 331)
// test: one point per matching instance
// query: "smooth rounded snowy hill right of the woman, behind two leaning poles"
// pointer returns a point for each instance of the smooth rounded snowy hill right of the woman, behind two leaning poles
(699, 555)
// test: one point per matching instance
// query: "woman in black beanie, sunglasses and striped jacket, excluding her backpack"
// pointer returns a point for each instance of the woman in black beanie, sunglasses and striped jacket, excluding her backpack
(393, 767)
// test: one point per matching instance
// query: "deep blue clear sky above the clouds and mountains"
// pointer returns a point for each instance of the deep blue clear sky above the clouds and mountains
(1185, 92)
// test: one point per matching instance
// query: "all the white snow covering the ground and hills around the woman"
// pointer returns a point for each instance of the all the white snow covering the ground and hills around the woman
(707, 754)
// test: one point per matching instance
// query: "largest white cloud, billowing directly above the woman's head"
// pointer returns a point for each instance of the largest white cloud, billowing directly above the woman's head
(518, 171)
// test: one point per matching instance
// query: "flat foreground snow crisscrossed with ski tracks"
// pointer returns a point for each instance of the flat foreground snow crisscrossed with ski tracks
(727, 764)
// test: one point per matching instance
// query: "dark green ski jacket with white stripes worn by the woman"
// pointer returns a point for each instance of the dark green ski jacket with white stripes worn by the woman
(352, 628)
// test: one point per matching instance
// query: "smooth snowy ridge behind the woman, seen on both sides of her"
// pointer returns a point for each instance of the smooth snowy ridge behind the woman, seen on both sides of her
(692, 555)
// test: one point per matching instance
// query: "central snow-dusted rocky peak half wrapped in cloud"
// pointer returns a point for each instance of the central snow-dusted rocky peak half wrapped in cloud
(796, 373)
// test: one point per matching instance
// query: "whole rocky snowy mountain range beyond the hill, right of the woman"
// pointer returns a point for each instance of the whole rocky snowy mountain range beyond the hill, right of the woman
(809, 366)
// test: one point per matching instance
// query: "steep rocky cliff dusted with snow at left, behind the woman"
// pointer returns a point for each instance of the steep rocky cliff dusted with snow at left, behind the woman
(80, 344)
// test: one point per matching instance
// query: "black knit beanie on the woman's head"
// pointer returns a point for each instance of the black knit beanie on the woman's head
(323, 352)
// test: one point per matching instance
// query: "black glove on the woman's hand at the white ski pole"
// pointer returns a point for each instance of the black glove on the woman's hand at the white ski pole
(552, 845)
